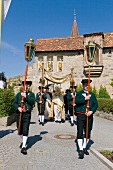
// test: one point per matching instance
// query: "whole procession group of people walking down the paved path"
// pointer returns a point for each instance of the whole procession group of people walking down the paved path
(57, 107)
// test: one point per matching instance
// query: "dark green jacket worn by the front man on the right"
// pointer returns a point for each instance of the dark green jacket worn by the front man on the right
(81, 102)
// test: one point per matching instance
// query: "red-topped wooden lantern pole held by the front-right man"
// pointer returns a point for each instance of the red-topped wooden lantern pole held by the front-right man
(88, 104)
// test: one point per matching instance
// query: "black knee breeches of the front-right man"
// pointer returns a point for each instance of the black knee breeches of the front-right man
(81, 125)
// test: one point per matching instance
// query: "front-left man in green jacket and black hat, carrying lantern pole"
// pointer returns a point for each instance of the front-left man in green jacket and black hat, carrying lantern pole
(29, 101)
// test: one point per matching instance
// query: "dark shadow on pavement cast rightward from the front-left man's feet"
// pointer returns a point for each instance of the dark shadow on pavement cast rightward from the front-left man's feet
(34, 139)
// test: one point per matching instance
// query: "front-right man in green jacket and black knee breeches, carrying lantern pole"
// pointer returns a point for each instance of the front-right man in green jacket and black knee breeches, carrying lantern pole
(81, 106)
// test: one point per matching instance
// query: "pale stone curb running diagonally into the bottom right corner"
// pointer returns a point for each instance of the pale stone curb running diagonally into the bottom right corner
(104, 160)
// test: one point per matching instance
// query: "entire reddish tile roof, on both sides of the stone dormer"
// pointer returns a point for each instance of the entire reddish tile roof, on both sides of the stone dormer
(68, 43)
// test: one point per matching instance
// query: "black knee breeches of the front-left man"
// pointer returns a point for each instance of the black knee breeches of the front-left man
(25, 122)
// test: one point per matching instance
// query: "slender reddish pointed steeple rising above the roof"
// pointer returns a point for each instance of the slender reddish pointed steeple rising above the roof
(74, 27)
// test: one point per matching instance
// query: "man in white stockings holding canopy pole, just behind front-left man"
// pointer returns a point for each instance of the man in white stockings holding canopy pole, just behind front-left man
(41, 100)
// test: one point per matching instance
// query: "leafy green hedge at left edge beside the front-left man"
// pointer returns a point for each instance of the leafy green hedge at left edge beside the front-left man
(6, 99)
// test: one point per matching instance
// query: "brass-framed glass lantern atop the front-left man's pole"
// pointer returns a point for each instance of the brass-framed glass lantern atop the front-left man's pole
(29, 49)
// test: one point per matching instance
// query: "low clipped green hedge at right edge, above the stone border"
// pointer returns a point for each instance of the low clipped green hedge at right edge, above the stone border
(105, 105)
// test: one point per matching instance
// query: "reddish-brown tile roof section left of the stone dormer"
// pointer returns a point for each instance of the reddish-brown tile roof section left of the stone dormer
(59, 44)
